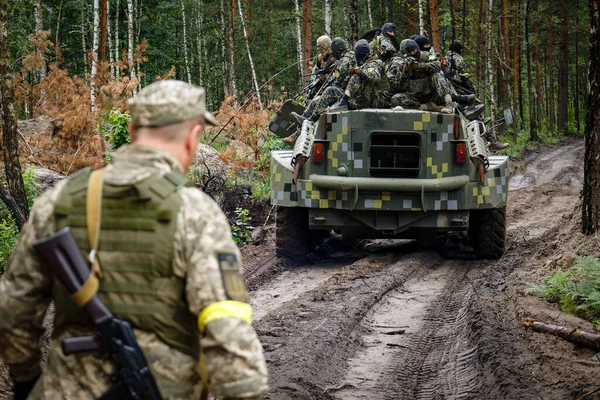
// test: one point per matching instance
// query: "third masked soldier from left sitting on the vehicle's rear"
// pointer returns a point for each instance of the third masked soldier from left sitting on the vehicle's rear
(362, 90)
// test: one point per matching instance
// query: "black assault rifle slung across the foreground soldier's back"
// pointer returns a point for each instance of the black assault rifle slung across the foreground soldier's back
(132, 378)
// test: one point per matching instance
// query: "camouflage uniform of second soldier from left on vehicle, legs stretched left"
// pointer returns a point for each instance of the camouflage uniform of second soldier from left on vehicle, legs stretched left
(334, 91)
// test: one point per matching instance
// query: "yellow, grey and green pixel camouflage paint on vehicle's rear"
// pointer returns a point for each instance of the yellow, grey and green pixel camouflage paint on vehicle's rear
(346, 137)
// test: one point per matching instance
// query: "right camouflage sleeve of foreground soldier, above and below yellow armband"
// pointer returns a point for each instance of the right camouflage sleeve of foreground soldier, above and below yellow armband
(210, 259)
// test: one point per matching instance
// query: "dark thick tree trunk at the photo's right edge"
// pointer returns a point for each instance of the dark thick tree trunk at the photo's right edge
(590, 208)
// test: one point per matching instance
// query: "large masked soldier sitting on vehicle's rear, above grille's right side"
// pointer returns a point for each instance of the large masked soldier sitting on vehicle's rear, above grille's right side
(421, 86)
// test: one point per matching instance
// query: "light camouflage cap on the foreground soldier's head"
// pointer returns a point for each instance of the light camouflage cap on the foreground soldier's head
(168, 102)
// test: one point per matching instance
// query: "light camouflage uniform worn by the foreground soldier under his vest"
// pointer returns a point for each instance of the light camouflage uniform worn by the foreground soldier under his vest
(229, 348)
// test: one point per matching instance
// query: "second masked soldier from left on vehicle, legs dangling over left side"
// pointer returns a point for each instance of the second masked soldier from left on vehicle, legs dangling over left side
(339, 81)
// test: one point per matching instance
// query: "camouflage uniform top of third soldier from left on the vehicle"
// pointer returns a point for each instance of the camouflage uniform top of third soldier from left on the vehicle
(363, 85)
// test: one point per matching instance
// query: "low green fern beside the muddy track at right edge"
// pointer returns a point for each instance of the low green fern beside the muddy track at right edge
(576, 289)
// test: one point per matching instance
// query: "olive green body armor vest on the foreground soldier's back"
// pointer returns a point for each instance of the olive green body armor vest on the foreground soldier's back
(136, 252)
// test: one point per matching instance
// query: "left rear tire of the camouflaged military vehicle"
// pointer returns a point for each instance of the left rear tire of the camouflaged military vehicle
(293, 239)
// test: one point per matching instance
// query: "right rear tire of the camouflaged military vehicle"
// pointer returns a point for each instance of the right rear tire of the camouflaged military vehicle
(488, 232)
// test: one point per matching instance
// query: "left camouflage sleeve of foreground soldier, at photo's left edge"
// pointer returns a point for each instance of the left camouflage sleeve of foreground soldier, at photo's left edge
(25, 293)
